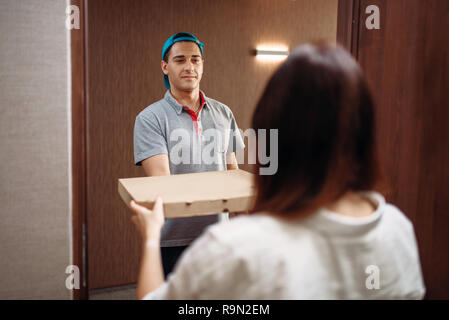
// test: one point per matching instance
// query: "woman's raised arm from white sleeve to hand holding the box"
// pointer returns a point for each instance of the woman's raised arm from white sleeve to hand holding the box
(208, 269)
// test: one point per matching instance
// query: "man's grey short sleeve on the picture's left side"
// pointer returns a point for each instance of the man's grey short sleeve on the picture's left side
(149, 139)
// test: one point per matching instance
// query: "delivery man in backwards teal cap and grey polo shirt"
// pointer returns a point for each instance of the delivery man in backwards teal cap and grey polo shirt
(171, 135)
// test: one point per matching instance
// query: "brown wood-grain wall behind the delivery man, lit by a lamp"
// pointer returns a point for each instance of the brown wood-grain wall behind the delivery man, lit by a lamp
(124, 42)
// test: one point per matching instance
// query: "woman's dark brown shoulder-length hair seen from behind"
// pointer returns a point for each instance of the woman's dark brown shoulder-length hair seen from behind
(322, 108)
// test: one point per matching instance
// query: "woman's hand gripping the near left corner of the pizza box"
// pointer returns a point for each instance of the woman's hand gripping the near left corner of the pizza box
(148, 222)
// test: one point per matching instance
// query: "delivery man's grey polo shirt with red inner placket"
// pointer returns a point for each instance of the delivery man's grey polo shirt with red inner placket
(193, 142)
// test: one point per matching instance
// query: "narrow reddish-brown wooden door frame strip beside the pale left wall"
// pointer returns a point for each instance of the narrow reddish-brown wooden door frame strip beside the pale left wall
(78, 150)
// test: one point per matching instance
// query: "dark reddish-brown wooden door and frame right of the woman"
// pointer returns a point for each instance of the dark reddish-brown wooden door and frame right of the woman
(407, 65)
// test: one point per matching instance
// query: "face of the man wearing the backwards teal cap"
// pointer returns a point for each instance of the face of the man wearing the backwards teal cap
(184, 67)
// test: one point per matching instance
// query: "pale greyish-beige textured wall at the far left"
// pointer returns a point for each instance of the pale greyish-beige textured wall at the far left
(35, 227)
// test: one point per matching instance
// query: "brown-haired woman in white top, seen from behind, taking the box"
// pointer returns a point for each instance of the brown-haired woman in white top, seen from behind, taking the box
(317, 230)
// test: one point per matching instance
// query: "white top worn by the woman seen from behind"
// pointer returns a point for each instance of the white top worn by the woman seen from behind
(323, 256)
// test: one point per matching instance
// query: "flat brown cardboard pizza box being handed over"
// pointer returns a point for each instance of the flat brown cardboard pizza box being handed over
(193, 194)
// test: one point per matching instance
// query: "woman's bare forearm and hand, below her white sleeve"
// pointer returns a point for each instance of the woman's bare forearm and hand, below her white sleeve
(149, 223)
